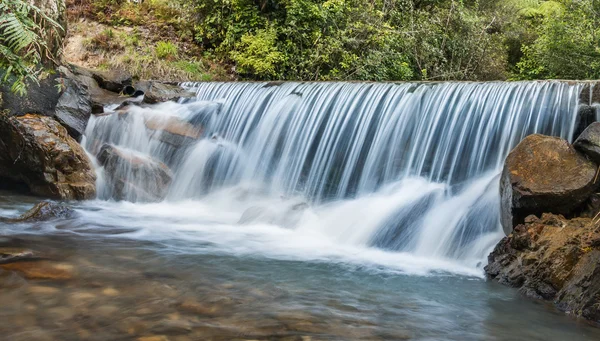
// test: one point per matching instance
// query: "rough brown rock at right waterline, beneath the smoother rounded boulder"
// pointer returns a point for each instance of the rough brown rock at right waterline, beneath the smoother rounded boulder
(555, 259)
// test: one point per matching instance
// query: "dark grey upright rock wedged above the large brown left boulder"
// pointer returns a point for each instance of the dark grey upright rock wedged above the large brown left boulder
(74, 108)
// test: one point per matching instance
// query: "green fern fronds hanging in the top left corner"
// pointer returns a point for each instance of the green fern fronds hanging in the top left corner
(25, 31)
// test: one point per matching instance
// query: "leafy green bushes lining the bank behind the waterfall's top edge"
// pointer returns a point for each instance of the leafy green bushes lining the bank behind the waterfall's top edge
(376, 40)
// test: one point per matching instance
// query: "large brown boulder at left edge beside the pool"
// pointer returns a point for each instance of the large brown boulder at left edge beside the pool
(38, 151)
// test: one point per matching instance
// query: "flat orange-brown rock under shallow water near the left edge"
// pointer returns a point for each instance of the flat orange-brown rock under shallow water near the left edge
(41, 270)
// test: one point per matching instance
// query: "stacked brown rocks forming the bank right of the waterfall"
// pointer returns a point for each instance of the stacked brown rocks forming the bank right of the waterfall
(550, 212)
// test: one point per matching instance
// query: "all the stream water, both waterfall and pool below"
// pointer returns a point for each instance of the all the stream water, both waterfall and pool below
(306, 211)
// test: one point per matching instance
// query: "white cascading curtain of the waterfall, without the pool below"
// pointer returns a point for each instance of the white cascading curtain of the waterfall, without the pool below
(407, 168)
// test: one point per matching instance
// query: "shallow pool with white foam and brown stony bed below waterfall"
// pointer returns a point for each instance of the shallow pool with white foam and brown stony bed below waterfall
(190, 271)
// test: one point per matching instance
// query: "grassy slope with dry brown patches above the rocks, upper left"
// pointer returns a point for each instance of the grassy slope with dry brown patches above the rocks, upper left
(152, 40)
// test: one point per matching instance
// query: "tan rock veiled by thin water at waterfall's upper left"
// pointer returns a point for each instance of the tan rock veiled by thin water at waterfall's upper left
(173, 131)
